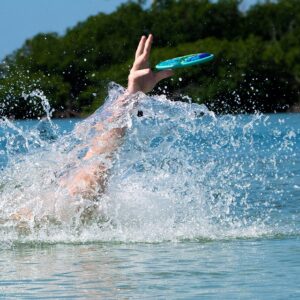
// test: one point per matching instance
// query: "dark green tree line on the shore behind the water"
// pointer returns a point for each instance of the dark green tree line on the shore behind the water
(256, 66)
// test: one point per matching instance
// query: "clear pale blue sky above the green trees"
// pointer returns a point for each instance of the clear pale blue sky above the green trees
(22, 19)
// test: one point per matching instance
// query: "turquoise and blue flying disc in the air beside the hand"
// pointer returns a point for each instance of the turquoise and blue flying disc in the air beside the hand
(185, 61)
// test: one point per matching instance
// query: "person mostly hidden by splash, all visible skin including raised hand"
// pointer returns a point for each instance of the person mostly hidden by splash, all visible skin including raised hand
(89, 179)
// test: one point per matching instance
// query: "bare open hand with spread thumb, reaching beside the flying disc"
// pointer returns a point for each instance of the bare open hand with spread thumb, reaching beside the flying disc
(141, 77)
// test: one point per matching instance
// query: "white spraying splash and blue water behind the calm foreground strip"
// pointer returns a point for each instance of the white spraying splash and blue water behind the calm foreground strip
(181, 173)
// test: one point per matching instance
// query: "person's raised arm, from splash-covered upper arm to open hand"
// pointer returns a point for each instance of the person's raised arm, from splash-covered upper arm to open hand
(91, 179)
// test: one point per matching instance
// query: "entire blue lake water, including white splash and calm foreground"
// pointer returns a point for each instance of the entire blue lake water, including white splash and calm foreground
(197, 205)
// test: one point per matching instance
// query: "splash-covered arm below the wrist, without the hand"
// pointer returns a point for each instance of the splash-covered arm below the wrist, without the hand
(90, 179)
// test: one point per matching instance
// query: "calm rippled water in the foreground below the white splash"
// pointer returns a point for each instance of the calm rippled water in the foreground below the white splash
(265, 268)
